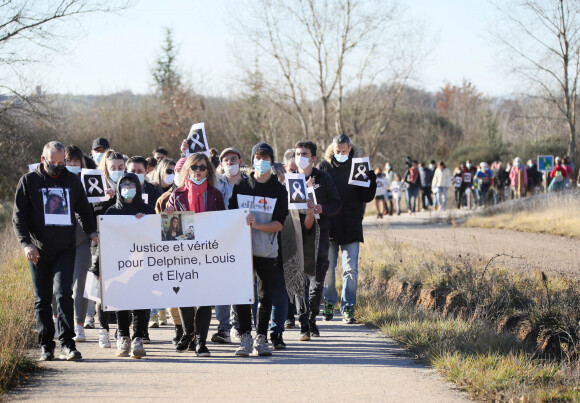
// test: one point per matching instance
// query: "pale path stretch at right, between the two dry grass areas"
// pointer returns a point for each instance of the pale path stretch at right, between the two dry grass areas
(538, 251)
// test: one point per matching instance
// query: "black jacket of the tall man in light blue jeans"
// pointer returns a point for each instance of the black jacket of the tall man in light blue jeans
(346, 226)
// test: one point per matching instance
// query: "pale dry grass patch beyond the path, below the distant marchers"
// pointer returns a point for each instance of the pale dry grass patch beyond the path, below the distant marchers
(555, 214)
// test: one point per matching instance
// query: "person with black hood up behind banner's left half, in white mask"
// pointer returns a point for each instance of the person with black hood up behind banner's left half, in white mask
(130, 202)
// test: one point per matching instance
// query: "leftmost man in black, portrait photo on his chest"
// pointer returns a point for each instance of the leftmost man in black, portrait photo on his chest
(48, 236)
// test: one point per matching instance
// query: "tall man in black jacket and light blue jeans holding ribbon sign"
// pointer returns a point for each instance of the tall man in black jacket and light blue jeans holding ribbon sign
(345, 230)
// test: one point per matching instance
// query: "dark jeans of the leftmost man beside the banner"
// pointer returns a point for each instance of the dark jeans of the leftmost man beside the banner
(54, 272)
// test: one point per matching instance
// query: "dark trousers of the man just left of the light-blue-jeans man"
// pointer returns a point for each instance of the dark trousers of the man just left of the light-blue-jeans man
(309, 309)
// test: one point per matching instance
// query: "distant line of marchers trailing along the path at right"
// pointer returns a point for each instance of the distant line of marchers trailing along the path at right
(473, 186)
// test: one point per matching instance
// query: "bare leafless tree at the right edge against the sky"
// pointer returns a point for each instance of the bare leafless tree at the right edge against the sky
(543, 39)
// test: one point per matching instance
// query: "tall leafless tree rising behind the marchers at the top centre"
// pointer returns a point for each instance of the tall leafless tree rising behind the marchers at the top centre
(320, 49)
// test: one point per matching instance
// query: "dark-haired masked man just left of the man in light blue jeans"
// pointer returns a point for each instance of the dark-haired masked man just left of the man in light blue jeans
(328, 205)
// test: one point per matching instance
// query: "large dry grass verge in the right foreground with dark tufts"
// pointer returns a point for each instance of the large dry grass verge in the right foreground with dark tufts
(496, 333)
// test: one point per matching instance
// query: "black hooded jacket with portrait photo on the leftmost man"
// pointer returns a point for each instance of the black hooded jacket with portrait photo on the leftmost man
(28, 214)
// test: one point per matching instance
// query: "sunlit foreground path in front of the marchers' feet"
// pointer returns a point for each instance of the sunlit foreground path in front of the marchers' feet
(349, 363)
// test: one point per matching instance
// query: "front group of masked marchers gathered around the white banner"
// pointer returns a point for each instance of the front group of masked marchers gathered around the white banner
(295, 254)
